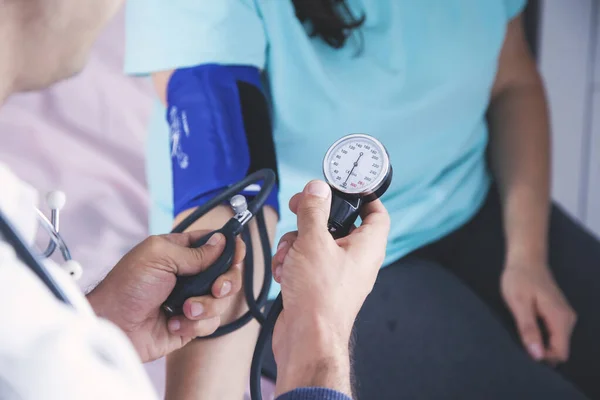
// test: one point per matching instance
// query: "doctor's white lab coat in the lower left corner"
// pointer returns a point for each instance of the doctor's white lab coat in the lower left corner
(49, 350)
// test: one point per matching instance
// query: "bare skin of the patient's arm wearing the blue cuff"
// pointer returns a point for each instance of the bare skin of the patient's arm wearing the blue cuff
(217, 368)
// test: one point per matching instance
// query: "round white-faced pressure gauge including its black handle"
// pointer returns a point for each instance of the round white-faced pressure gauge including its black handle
(358, 169)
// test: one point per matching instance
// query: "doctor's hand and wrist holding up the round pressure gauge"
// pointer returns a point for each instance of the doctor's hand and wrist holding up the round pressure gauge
(324, 283)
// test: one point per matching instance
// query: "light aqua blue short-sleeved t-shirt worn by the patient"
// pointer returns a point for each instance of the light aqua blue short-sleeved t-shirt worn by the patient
(418, 77)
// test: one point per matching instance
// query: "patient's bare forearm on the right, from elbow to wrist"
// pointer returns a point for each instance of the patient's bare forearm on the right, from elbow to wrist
(520, 151)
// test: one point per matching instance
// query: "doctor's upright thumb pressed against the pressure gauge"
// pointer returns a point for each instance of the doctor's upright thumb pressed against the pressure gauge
(313, 209)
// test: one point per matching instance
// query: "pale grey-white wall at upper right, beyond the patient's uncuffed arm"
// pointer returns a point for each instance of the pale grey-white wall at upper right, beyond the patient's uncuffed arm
(569, 46)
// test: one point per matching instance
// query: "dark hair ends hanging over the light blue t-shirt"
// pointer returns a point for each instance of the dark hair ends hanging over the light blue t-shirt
(331, 20)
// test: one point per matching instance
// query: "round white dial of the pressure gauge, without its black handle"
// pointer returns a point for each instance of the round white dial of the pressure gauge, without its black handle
(356, 164)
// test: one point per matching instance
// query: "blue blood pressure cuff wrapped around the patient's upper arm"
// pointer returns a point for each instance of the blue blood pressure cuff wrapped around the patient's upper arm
(220, 132)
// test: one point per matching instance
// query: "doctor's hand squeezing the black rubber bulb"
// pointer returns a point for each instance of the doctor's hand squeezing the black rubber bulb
(133, 292)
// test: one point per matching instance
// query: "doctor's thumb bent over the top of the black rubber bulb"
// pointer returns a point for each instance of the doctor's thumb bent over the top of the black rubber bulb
(191, 261)
